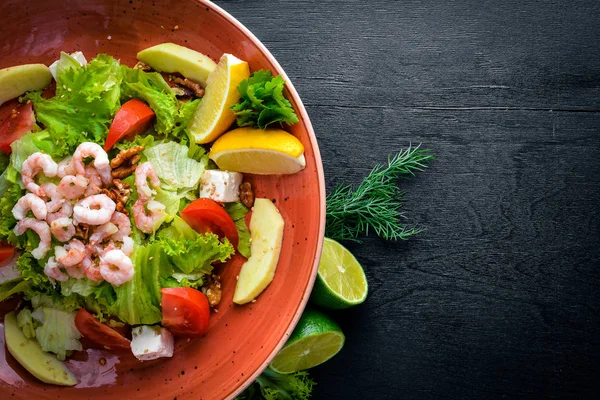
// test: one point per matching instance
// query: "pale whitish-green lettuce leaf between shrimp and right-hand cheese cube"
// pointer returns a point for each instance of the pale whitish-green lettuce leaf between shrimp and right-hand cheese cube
(177, 171)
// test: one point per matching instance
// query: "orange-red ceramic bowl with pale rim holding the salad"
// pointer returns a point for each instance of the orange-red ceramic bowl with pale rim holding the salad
(241, 340)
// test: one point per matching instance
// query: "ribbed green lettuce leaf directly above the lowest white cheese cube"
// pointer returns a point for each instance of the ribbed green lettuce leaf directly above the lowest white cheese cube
(138, 301)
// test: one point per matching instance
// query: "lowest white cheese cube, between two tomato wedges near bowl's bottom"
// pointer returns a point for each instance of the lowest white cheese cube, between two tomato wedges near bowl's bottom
(151, 342)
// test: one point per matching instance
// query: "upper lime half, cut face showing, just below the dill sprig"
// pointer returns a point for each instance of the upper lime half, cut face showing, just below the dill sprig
(341, 281)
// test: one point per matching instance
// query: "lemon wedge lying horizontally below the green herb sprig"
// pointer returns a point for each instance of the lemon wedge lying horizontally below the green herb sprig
(256, 151)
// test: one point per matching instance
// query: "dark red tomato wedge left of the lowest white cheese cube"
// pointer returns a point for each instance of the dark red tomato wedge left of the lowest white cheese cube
(98, 333)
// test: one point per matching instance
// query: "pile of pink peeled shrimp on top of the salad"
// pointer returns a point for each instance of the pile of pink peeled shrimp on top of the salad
(75, 199)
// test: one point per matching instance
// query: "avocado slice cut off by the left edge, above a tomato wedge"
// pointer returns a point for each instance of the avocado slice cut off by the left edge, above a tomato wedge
(15, 81)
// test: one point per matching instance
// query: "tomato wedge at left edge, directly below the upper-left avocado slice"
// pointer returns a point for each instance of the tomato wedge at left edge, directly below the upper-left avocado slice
(15, 120)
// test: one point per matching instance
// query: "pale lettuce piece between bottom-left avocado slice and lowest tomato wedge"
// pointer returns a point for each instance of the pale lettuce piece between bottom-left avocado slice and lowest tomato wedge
(57, 333)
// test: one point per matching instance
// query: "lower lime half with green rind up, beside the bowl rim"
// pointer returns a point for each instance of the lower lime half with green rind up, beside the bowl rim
(315, 340)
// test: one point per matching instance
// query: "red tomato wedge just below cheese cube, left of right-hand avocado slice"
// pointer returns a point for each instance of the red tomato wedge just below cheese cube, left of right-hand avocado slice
(206, 215)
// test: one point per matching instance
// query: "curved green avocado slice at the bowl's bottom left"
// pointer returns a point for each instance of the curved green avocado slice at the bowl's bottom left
(44, 366)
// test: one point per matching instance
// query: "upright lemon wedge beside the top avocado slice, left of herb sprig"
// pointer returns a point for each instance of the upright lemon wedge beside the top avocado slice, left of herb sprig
(213, 116)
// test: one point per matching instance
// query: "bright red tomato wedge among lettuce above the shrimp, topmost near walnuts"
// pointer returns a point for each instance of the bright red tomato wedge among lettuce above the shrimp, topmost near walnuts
(134, 117)
